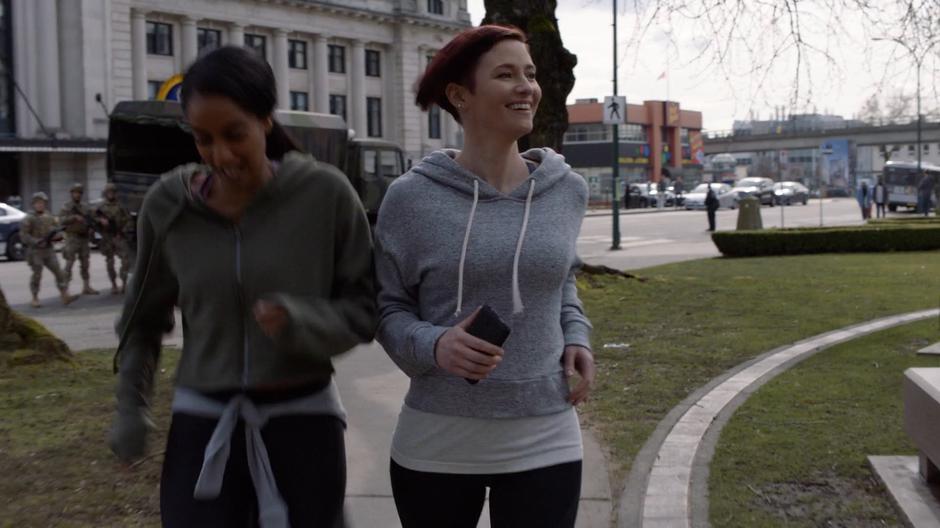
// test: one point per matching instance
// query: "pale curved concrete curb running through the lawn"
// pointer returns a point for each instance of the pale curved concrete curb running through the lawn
(667, 485)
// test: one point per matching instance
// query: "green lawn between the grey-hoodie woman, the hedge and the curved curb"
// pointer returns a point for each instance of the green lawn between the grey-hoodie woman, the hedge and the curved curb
(690, 322)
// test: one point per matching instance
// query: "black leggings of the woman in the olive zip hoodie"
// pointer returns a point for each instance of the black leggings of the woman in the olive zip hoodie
(308, 458)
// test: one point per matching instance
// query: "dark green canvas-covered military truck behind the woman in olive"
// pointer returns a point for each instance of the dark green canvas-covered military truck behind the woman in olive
(148, 138)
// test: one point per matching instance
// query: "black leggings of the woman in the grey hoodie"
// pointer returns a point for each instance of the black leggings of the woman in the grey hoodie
(540, 498)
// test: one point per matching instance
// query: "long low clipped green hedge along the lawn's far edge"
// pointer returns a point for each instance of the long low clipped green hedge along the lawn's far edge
(881, 237)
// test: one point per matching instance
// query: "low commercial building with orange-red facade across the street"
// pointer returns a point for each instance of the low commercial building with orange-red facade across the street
(658, 135)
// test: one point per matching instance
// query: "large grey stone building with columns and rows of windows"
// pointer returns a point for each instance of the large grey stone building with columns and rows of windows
(66, 63)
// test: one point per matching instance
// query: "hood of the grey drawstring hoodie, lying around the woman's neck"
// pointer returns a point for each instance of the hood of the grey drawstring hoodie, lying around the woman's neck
(441, 167)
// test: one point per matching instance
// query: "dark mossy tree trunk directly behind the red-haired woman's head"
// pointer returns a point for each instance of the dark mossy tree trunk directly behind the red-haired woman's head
(554, 65)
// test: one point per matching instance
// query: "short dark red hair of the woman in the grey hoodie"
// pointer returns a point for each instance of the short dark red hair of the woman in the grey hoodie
(457, 61)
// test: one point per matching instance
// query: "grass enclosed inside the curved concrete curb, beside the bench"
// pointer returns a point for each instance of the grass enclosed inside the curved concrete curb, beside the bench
(795, 453)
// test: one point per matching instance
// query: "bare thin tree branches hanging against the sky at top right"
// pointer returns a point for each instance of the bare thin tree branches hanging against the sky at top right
(774, 41)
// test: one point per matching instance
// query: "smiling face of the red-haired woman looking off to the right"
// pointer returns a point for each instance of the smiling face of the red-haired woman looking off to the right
(505, 94)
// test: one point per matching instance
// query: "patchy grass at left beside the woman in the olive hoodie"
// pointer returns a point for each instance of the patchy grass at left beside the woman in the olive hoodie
(56, 466)
